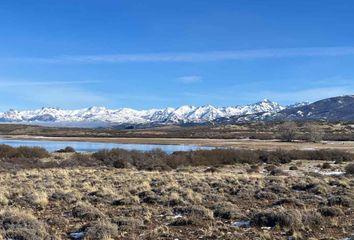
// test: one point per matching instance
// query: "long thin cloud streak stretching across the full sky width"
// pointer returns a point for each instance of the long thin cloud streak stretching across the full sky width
(191, 56)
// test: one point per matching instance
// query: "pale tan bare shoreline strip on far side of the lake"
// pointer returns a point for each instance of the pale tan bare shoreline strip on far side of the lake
(232, 143)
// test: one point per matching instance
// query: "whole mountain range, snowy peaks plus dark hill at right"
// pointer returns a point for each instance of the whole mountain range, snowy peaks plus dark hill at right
(331, 109)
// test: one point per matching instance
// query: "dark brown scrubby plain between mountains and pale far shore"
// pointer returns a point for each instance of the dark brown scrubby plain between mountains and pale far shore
(265, 131)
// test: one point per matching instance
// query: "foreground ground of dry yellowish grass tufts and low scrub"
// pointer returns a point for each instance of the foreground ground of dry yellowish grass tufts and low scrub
(301, 199)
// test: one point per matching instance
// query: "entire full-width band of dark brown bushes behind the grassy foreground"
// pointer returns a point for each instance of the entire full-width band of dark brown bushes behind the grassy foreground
(161, 161)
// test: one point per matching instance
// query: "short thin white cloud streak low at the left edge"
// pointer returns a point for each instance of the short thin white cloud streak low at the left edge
(13, 83)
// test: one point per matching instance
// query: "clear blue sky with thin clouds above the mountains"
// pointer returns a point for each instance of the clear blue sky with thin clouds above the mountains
(158, 53)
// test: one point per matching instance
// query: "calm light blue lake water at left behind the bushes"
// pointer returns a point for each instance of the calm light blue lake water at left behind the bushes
(94, 146)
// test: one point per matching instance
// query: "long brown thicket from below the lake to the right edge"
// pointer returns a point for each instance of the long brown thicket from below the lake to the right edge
(159, 160)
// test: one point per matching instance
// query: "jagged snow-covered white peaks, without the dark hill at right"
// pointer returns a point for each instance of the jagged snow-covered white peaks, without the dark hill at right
(104, 116)
